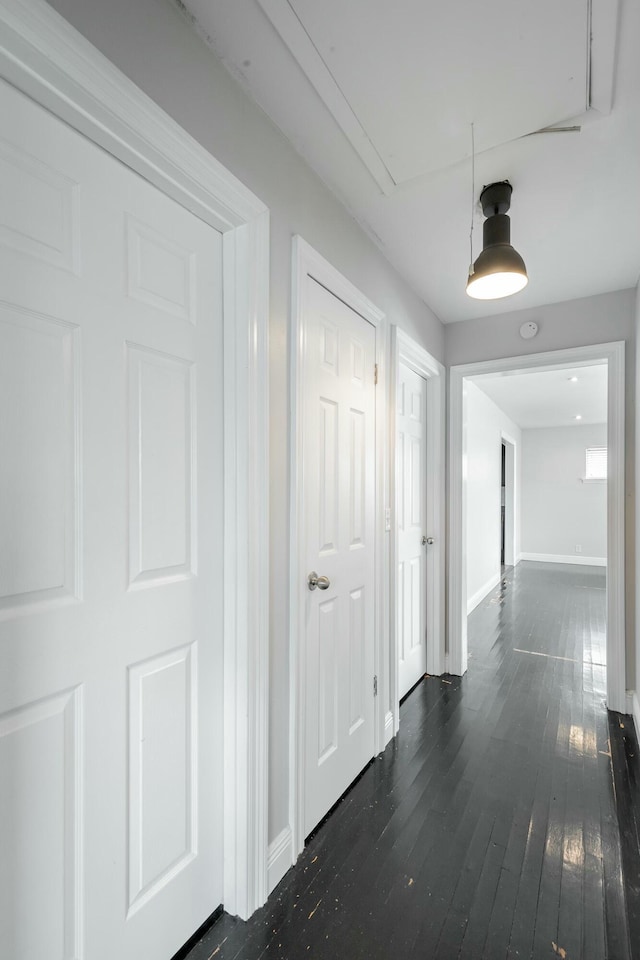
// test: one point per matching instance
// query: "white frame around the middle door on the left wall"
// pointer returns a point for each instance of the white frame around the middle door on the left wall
(308, 263)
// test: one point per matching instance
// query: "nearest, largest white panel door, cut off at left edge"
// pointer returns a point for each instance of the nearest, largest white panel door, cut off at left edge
(110, 567)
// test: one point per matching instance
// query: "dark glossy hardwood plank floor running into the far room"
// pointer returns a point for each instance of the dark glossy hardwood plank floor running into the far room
(487, 829)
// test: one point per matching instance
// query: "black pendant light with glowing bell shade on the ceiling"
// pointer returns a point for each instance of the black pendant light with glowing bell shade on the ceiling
(499, 271)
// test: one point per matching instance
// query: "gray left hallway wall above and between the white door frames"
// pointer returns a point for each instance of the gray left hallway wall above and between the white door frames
(154, 44)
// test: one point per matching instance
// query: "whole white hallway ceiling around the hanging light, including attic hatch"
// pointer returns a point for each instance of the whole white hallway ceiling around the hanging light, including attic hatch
(379, 98)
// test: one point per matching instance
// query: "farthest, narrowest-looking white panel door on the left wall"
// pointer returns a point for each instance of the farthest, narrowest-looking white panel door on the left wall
(411, 485)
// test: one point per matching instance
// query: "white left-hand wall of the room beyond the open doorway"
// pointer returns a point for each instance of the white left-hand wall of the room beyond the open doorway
(485, 425)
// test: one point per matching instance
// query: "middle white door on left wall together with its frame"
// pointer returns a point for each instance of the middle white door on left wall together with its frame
(338, 550)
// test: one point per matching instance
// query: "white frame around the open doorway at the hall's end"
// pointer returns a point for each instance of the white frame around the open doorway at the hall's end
(613, 354)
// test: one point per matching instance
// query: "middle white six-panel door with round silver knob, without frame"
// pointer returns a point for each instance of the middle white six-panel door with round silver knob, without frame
(338, 510)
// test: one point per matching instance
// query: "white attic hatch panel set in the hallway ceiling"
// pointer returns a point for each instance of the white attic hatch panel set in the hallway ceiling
(413, 94)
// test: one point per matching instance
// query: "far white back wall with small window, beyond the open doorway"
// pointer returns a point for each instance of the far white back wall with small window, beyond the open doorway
(558, 510)
